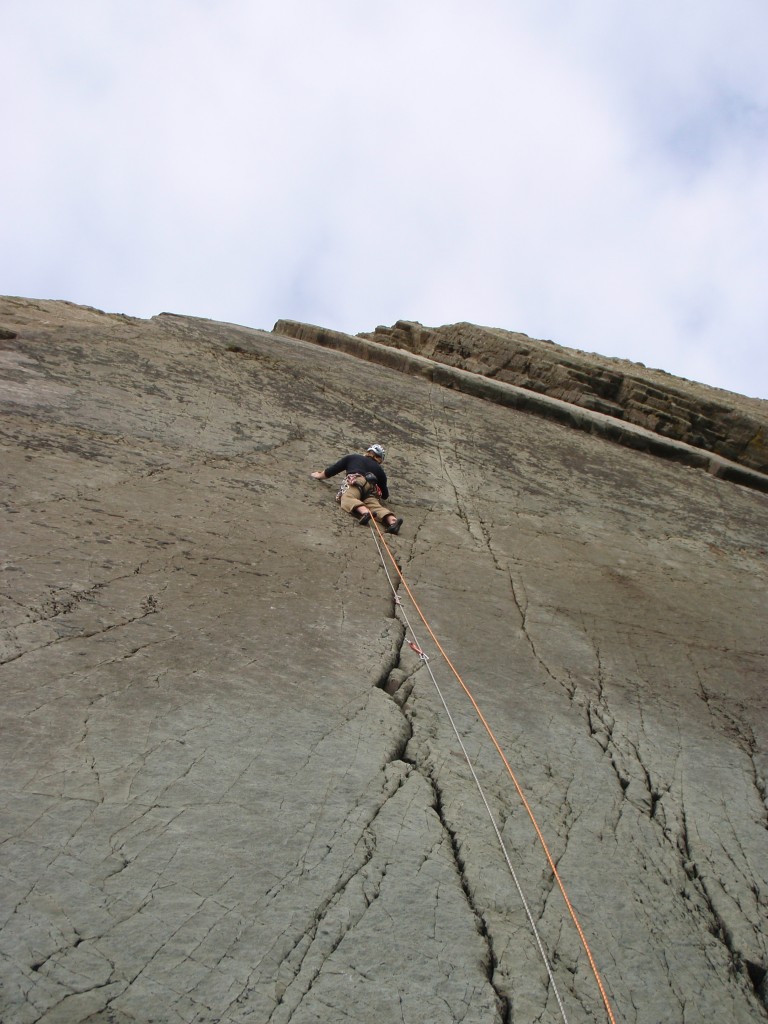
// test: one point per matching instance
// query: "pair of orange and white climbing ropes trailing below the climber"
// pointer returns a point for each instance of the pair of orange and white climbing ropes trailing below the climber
(416, 647)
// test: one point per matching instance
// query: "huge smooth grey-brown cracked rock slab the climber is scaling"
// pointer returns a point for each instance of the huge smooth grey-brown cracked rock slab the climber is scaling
(230, 790)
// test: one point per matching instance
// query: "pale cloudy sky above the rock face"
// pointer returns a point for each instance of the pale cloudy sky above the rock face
(590, 172)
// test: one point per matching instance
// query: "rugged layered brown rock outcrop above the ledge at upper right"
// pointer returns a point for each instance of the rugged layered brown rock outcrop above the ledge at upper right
(717, 421)
